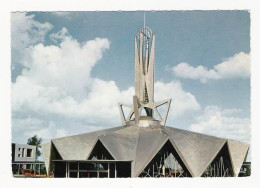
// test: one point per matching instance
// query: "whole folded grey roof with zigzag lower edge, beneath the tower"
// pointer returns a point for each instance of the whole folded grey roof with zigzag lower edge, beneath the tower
(141, 144)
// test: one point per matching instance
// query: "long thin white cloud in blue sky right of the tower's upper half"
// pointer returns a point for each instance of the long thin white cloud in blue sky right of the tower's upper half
(237, 66)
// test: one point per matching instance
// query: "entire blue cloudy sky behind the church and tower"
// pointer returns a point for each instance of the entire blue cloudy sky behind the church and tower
(71, 69)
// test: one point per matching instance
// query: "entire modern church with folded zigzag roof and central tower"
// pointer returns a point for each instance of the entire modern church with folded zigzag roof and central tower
(144, 146)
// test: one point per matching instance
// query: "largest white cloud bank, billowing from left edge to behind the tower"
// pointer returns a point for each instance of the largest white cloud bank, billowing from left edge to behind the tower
(56, 95)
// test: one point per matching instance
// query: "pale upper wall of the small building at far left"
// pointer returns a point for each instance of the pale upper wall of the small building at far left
(23, 152)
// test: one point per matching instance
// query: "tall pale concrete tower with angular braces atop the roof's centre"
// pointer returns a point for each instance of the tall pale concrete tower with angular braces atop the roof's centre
(143, 100)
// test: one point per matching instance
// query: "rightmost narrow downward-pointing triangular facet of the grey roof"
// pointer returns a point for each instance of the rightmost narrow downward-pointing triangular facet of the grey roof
(238, 152)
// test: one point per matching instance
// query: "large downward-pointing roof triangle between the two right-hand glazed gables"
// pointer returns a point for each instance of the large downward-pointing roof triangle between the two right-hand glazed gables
(198, 150)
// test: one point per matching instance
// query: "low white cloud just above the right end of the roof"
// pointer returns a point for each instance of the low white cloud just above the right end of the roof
(222, 123)
